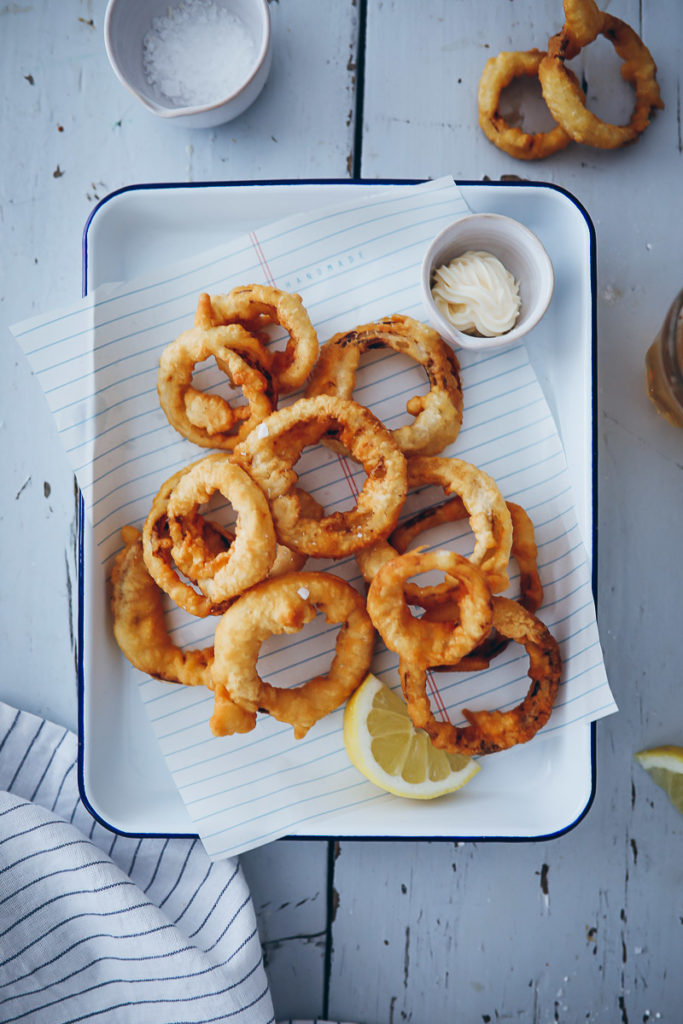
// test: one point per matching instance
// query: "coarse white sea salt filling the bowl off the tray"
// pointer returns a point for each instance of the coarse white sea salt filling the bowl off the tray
(198, 55)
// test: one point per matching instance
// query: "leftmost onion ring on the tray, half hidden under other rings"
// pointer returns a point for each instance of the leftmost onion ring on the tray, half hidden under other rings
(140, 628)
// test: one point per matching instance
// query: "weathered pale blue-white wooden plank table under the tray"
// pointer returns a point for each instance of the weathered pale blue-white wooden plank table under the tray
(585, 927)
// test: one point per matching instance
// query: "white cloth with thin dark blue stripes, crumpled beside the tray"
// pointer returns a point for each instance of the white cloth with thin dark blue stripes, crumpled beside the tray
(96, 926)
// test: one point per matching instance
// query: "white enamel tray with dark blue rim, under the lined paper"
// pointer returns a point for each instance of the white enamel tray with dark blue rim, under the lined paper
(534, 792)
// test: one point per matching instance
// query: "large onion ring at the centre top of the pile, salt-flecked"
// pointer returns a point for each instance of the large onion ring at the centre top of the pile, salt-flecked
(270, 455)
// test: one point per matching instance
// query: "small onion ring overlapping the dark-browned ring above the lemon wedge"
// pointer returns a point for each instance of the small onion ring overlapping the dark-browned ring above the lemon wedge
(415, 639)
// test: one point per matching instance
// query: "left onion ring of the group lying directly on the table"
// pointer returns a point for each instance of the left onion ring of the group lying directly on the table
(499, 72)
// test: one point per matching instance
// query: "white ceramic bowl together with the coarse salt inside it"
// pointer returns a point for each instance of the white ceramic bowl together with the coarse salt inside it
(200, 62)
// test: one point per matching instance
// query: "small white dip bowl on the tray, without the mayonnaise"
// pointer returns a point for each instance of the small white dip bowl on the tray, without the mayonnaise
(520, 251)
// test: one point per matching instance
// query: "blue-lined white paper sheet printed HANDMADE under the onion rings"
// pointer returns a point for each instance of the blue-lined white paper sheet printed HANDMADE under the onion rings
(352, 264)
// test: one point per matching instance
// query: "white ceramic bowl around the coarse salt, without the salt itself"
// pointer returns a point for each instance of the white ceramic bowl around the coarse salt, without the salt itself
(126, 24)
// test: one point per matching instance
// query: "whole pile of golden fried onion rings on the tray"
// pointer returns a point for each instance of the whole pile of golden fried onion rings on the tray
(251, 574)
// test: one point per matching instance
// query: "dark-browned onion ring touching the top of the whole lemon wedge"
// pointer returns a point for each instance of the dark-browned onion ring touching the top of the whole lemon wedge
(490, 732)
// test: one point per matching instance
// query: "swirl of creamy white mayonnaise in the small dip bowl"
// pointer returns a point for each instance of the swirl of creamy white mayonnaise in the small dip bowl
(478, 294)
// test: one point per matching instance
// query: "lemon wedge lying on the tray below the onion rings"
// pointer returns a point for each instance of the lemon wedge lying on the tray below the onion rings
(386, 747)
